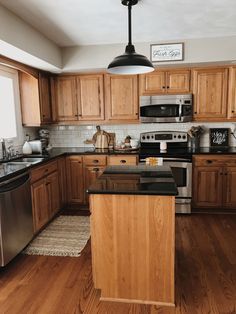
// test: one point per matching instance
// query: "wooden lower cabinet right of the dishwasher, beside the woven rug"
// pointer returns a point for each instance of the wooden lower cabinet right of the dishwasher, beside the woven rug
(45, 194)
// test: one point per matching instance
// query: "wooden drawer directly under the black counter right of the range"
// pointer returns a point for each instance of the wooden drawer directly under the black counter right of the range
(215, 160)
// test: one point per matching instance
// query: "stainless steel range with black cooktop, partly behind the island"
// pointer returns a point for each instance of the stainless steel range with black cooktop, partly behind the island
(172, 147)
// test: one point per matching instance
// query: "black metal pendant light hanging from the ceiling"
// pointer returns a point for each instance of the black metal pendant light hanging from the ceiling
(130, 62)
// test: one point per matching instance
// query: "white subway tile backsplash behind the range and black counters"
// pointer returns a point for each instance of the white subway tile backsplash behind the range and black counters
(74, 136)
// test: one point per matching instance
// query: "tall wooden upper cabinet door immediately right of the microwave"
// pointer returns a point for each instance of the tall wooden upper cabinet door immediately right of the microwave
(210, 91)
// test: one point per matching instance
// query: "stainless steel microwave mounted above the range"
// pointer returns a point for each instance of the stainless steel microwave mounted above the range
(166, 108)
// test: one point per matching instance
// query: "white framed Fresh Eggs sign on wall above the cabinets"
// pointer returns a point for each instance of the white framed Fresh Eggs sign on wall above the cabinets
(167, 52)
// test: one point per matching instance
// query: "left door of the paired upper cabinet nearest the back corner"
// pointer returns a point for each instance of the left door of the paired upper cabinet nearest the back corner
(66, 99)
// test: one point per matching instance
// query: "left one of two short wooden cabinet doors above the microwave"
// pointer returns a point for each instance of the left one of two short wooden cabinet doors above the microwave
(153, 83)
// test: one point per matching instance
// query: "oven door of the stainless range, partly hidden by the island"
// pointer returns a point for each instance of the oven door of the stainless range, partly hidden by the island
(182, 173)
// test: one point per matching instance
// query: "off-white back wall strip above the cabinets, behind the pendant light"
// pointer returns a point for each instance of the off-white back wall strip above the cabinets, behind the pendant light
(196, 51)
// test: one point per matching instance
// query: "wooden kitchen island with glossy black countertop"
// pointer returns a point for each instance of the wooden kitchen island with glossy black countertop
(133, 234)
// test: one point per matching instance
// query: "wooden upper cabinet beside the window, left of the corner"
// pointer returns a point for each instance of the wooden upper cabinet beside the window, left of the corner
(35, 95)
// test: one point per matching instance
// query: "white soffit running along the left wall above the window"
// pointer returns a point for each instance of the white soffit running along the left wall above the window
(27, 41)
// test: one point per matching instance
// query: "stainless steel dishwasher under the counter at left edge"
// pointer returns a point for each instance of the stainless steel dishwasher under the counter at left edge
(16, 222)
